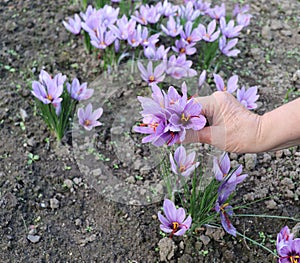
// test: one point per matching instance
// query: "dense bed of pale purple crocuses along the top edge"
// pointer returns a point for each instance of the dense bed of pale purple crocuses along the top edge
(109, 26)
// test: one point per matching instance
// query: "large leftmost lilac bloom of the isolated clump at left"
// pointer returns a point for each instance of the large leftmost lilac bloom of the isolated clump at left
(48, 90)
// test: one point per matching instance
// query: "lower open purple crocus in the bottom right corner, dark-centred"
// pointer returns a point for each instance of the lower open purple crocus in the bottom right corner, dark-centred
(290, 252)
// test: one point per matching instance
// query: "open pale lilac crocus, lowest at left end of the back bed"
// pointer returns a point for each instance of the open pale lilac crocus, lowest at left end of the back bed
(102, 38)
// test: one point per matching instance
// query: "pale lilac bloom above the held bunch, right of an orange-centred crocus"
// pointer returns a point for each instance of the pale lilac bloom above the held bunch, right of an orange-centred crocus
(180, 67)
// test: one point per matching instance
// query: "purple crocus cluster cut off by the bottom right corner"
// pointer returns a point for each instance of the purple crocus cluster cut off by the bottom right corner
(288, 247)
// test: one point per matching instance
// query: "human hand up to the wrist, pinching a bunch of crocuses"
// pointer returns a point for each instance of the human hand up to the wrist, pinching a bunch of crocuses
(232, 127)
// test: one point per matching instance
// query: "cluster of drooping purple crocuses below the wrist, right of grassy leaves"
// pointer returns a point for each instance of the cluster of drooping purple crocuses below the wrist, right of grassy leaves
(229, 179)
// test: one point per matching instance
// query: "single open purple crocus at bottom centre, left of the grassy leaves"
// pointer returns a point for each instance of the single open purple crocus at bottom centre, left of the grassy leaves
(174, 221)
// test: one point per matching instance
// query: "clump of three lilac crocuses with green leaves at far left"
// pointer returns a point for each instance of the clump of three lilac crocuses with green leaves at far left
(57, 102)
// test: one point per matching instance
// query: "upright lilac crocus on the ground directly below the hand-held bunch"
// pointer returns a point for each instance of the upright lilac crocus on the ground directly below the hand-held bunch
(184, 164)
